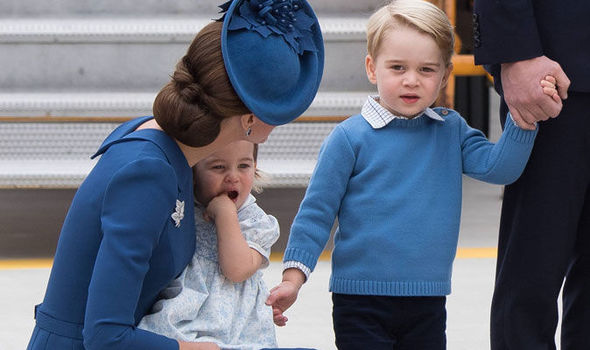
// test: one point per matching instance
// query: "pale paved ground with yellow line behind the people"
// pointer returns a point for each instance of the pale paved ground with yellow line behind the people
(310, 318)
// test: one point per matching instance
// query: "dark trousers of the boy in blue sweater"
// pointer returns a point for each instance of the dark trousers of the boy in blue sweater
(364, 322)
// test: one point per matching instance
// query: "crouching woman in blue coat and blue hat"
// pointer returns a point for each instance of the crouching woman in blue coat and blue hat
(126, 235)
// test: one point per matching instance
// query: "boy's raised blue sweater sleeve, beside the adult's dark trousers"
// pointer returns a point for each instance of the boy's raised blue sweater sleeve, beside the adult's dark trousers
(499, 163)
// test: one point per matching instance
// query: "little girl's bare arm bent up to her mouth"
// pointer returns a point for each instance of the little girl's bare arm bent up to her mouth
(237, 260)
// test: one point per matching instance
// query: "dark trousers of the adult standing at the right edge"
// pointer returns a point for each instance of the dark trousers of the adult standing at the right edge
(545, 238)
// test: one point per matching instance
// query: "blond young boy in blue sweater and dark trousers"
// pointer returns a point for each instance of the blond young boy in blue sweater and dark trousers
(392, 175)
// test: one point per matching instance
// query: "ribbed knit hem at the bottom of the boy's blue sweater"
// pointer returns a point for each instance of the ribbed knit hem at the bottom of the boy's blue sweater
(412, 288)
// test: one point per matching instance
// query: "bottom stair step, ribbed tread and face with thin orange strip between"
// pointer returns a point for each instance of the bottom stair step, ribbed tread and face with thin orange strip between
(38, 152)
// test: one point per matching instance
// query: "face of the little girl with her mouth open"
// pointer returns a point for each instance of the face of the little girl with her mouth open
(228, 171)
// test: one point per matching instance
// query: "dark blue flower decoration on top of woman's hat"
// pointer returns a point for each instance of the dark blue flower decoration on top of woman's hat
(281, 17)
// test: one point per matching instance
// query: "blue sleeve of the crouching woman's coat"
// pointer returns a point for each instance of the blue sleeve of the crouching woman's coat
(137, 204)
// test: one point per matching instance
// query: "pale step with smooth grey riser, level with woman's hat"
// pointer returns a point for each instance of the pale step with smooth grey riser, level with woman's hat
(115, 54)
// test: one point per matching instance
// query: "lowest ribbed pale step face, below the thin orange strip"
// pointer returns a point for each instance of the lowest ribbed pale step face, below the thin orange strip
(57, 154)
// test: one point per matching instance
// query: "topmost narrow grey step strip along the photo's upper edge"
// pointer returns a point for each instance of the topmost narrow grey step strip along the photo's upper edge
(148, 8)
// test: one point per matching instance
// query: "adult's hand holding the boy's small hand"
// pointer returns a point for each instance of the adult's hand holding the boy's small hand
(524, 95)
